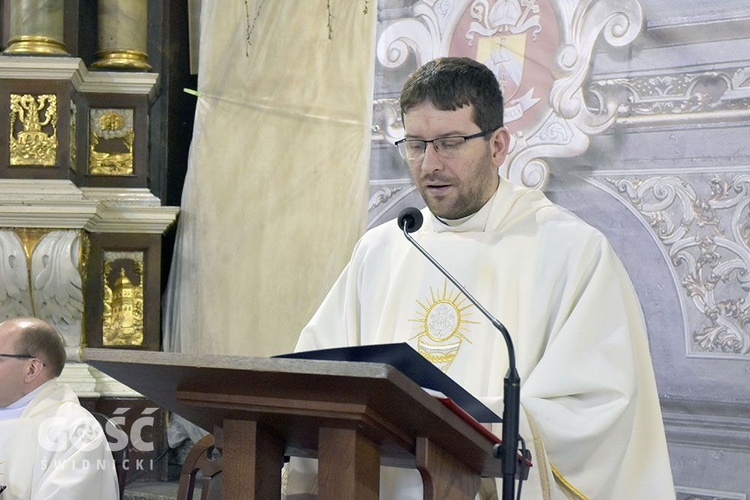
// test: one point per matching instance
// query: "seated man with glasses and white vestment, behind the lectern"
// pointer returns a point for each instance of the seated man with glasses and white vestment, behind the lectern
(50, 446)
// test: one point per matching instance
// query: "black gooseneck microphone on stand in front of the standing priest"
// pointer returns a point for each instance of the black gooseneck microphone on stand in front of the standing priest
(409, 220)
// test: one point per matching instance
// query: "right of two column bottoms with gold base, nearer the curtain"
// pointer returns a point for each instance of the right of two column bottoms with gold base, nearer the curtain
(123, 35)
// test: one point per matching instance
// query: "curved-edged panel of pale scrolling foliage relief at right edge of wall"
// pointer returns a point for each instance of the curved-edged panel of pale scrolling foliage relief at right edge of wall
(702, 224)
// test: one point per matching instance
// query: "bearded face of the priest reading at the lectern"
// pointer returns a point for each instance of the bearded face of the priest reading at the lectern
(455, 187)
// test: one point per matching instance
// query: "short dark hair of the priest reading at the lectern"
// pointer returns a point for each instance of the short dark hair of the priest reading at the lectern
(450, 83)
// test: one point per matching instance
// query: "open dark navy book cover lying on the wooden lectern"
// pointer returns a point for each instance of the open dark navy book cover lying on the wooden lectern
(412, 364)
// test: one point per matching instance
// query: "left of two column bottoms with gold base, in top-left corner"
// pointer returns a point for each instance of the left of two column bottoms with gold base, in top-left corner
(36, 28)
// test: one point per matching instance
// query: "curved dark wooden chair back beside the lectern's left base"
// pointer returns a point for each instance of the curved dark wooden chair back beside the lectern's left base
(202, 459)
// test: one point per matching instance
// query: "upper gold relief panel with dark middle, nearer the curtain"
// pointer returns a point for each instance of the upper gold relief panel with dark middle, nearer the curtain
(111, 142)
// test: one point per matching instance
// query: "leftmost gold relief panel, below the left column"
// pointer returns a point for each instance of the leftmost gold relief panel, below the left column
(33, 130)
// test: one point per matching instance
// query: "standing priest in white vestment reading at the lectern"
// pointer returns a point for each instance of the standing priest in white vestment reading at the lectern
(590, 412)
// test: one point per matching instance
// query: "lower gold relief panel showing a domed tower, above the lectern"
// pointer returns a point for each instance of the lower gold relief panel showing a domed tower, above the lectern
(122, 315)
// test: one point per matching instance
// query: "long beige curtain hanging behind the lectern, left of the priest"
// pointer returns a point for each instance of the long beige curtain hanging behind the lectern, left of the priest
(276, 191)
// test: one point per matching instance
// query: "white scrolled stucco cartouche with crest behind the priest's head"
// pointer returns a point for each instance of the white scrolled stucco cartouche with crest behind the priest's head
(541, 51)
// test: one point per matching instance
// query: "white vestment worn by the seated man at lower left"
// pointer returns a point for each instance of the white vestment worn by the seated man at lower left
(56, 450)
